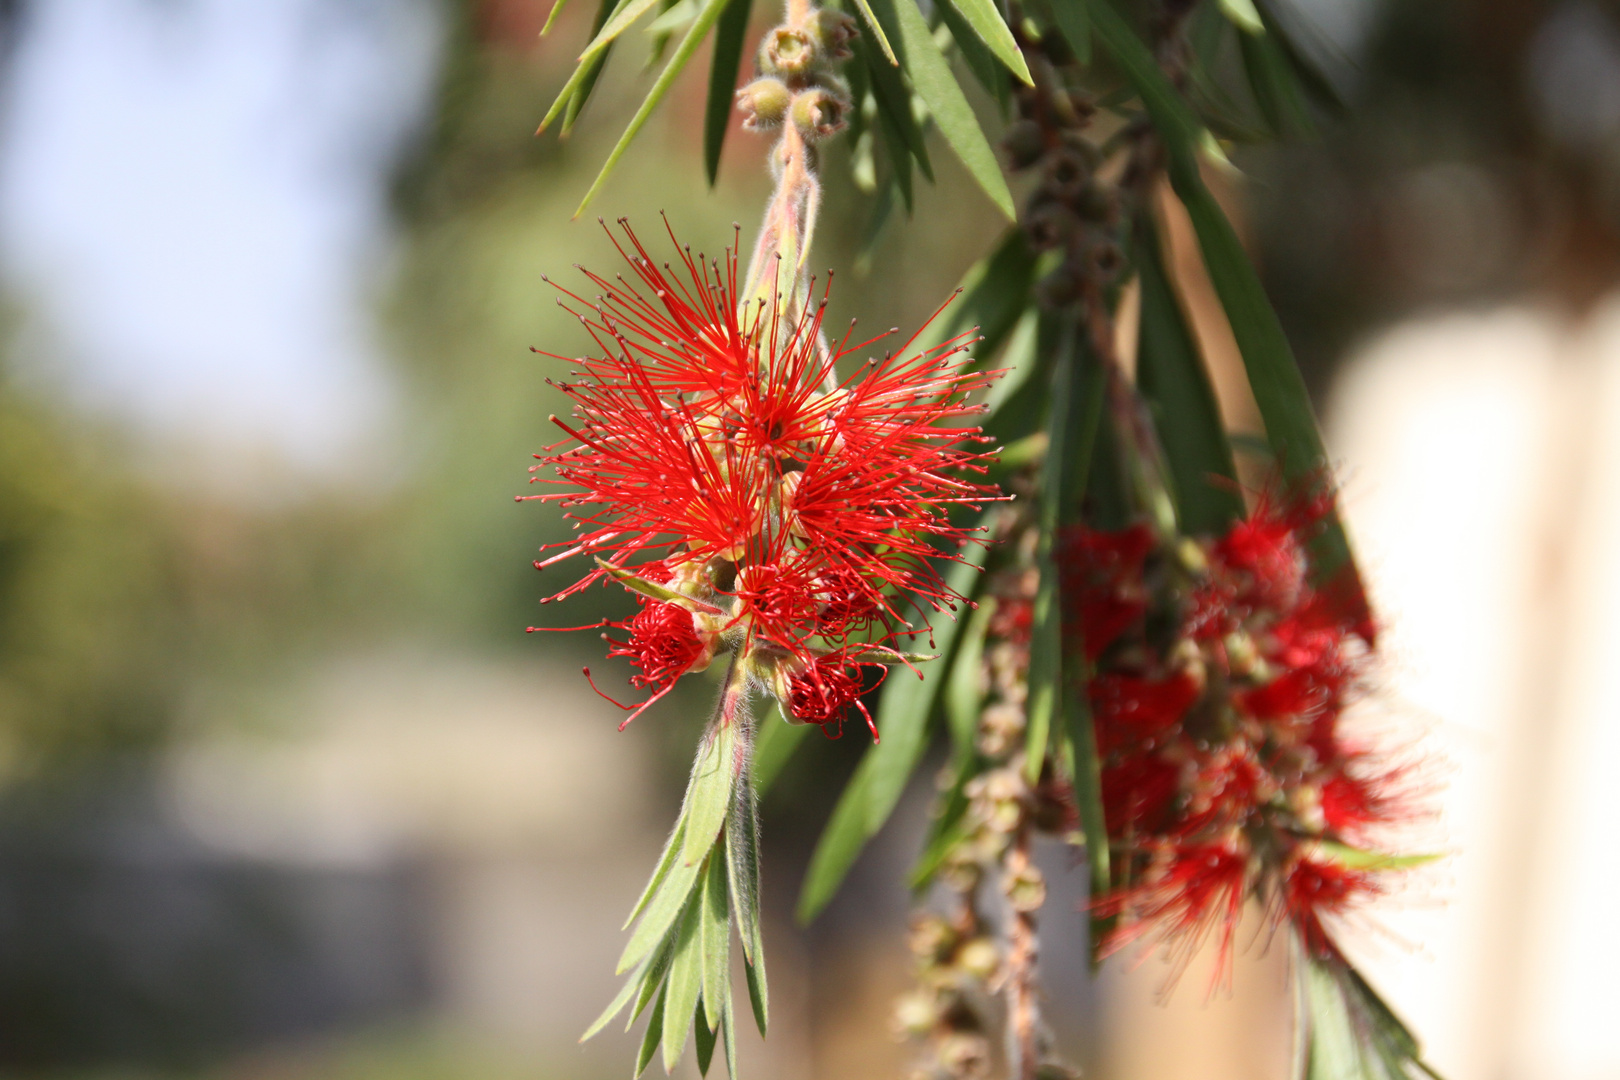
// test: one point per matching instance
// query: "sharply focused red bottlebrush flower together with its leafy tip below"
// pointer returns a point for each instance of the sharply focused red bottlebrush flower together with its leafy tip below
(762, 506)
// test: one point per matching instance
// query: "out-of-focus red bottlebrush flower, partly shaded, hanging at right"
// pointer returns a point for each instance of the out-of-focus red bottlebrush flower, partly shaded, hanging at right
(1217, 705)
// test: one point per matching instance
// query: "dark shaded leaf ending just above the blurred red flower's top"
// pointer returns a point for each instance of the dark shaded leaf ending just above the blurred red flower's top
(1172, 376)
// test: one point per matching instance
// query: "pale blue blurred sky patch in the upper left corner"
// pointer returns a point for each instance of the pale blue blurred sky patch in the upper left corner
(194, 211)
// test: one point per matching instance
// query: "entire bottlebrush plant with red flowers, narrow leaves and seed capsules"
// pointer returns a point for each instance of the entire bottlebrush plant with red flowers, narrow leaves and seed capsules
(1153, 666)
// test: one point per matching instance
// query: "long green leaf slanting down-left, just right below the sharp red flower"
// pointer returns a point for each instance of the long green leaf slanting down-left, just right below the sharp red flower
(879, 781)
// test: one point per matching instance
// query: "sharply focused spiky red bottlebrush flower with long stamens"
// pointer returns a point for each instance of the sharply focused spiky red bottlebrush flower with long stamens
(720, 466)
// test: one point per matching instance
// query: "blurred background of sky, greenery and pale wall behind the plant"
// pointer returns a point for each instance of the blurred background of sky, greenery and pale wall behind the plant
(288, 793)
